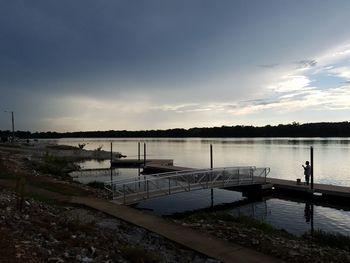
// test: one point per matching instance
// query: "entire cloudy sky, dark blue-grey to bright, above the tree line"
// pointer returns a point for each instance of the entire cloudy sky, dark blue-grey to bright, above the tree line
(88, 65)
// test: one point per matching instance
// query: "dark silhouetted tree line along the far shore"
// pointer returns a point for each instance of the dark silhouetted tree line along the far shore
(322, 129)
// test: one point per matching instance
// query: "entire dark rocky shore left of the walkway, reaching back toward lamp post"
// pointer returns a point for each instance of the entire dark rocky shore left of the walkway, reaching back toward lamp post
(54, 231)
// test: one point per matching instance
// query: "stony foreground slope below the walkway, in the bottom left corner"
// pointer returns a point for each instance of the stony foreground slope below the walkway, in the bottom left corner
(52, 233)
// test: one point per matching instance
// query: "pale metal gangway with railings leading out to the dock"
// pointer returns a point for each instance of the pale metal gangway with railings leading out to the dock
(139, 188)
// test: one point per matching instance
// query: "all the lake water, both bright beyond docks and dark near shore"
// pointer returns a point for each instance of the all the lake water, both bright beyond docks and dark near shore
(283, 155)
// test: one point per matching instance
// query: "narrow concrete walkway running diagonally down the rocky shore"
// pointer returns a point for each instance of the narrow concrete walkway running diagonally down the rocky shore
(193, 239)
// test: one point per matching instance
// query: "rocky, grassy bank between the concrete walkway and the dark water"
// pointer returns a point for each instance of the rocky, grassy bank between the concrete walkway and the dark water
(273, 242)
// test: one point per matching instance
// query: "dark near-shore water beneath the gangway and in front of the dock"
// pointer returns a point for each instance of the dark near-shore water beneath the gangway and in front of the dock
(294, 217)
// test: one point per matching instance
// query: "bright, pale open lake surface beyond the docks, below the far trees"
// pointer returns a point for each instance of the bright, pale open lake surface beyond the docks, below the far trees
(283, 155)
